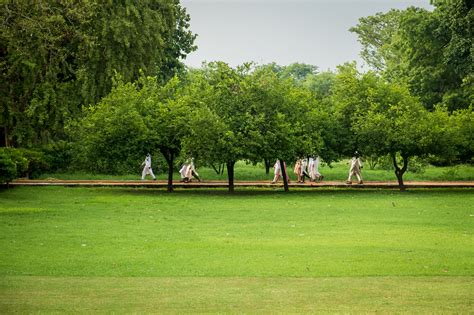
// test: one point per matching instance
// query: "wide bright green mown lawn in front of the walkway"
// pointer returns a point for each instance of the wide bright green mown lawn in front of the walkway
(144, 250)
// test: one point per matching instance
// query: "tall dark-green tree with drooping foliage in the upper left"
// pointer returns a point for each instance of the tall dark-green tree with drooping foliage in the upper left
(58, 55)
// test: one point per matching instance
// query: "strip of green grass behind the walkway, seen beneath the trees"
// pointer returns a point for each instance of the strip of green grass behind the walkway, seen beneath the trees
(338, 172)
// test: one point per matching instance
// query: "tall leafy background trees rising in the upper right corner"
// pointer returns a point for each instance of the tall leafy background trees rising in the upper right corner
(432, 52)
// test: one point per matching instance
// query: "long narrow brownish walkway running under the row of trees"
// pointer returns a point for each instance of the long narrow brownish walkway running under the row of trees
(224, 184)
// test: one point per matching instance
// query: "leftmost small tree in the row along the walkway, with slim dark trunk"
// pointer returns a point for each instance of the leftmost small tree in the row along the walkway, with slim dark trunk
(134, 119)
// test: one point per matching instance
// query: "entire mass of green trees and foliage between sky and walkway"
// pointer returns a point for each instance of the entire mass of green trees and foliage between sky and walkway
(109, 77)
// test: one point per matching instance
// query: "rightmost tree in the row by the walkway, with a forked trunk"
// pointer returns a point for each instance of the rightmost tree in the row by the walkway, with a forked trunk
(382, 119)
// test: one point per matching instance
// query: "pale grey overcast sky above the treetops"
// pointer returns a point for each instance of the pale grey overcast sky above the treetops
(315, 32)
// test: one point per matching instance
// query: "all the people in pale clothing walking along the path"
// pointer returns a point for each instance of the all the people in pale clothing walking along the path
(304, 168)
